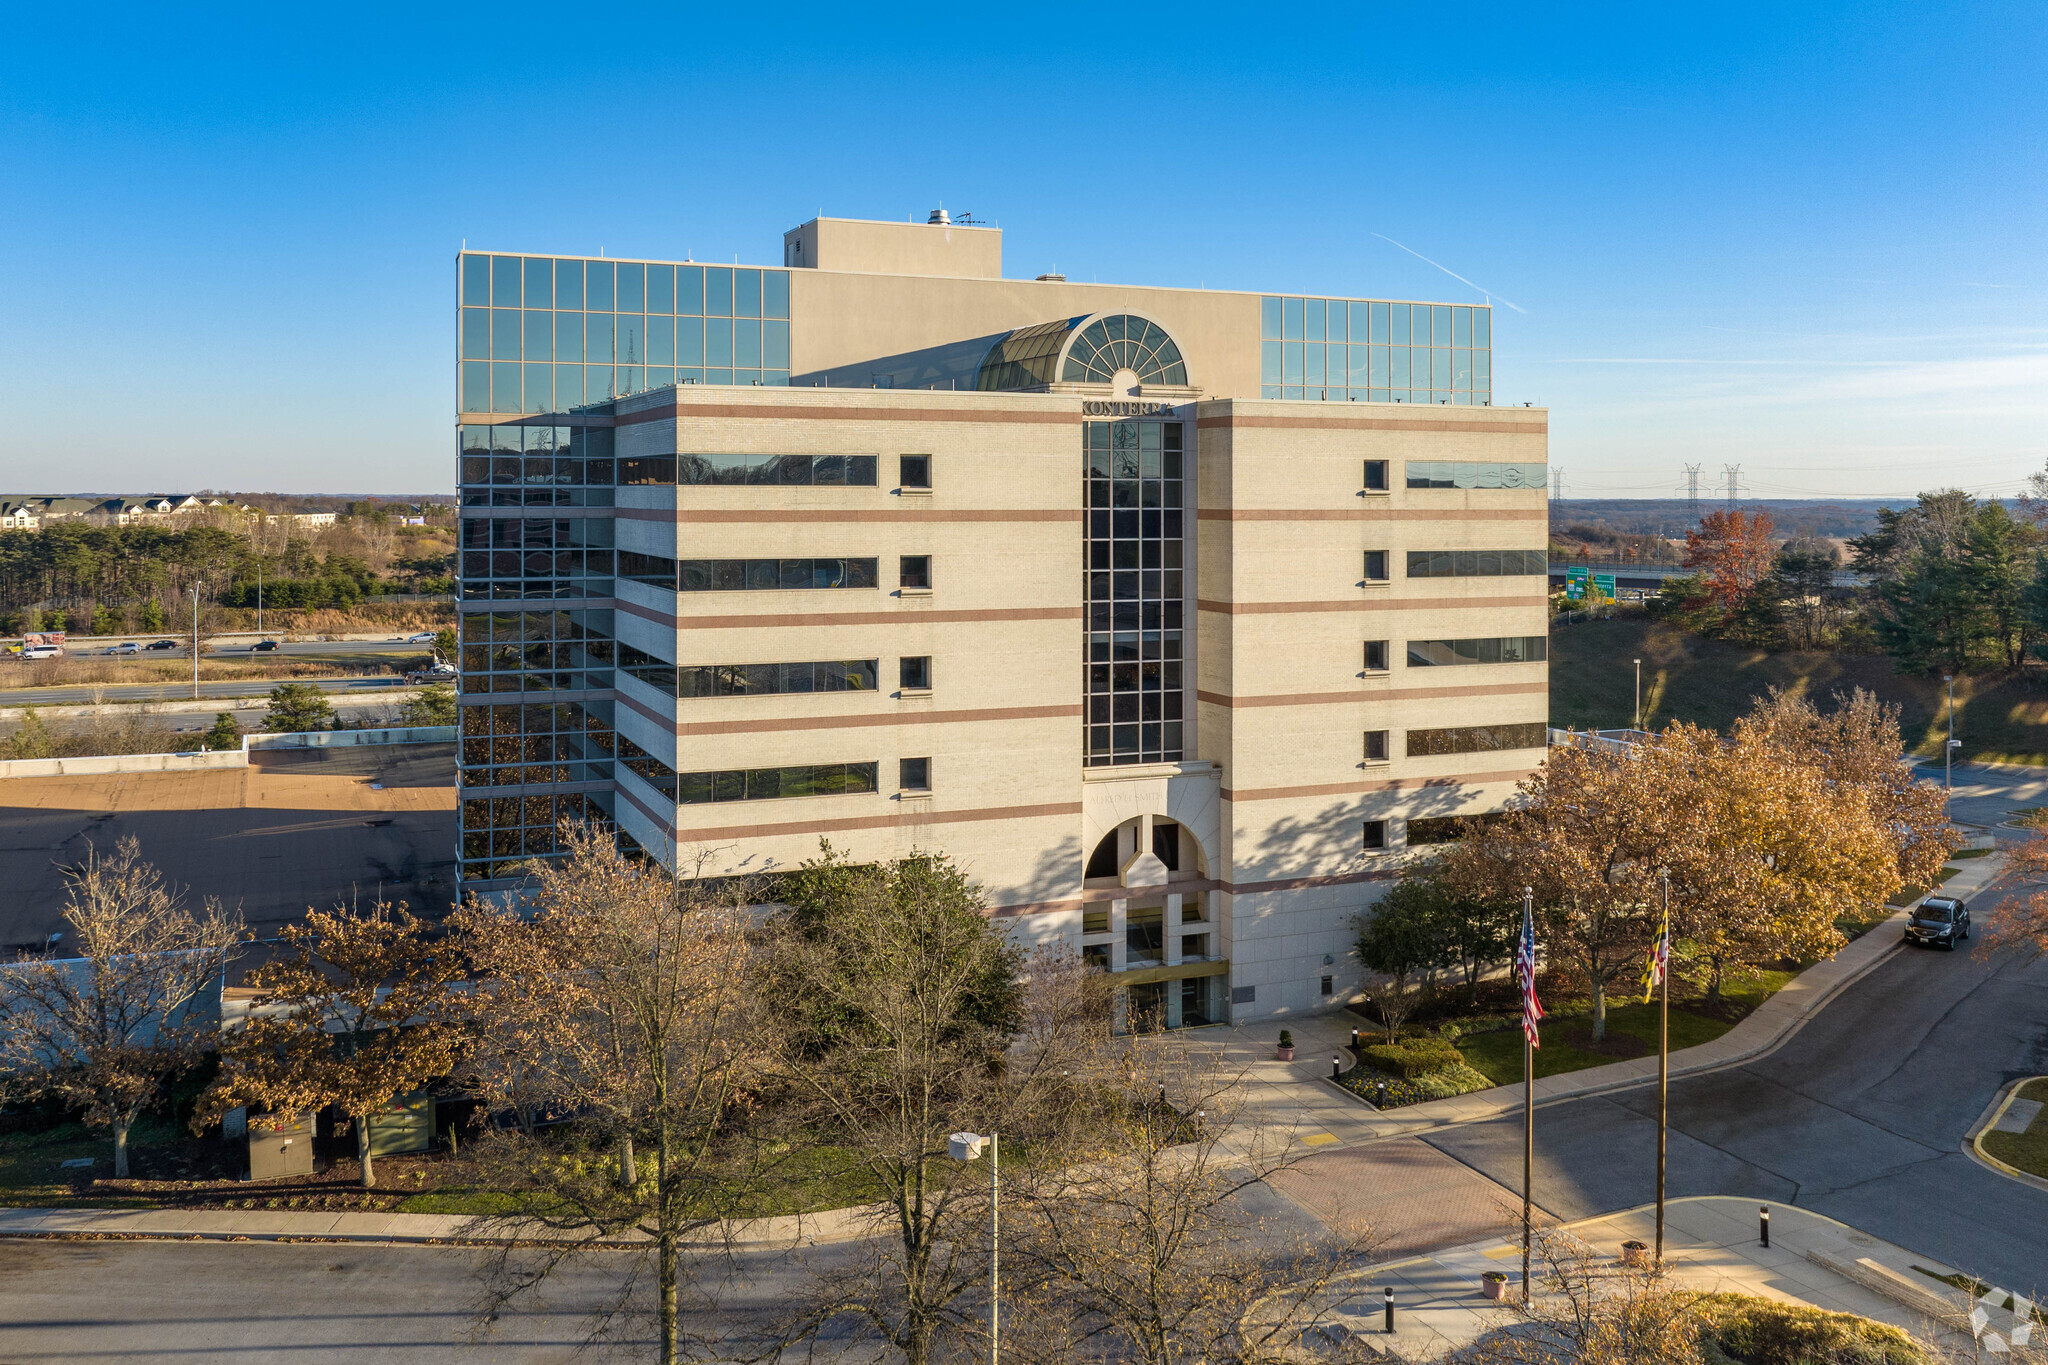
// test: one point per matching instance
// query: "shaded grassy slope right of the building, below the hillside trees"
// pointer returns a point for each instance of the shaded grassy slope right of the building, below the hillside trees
(1711, 682)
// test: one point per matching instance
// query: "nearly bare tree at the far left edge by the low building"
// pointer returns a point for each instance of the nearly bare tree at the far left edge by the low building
(108, 1028)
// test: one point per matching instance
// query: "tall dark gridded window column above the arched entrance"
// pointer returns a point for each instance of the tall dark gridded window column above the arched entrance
(1136, 592)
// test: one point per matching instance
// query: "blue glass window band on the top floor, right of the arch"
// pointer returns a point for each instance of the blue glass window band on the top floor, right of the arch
(1365, 351)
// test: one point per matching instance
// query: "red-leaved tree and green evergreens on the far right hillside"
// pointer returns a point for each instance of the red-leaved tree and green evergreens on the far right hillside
(1953, 584)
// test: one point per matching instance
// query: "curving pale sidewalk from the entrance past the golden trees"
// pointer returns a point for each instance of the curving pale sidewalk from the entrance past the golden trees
(1299, 1098)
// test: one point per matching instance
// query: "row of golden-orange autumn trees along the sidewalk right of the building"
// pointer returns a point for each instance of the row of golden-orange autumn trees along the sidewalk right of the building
(1762, 840)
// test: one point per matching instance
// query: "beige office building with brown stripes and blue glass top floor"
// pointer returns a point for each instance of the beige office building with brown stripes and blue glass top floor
(1177, 617)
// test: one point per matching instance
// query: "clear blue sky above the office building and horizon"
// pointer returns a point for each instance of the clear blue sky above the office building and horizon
(1797, 238)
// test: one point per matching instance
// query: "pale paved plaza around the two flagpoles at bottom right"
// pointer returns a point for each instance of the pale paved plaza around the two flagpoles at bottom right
(1711, 1245)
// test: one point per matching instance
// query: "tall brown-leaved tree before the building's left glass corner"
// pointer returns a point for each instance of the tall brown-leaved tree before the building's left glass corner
(628, 1004)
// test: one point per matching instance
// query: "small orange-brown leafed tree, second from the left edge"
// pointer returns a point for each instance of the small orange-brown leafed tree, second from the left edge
(353, 1018)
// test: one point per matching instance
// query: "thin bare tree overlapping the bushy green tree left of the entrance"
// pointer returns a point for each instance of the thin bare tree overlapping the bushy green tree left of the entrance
(902, 1004)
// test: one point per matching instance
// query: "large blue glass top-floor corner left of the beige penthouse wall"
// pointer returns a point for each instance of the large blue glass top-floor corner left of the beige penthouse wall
(544, 335)
